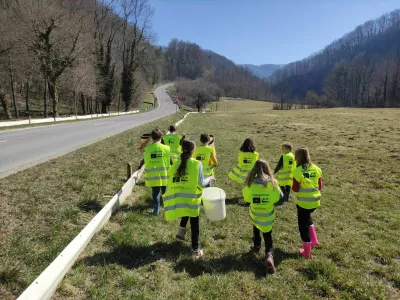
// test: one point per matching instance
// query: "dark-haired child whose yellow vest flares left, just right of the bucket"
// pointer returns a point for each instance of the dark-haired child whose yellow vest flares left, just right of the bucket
(247, 157)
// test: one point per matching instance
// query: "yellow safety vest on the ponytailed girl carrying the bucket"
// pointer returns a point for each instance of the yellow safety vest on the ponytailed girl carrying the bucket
(183, 195)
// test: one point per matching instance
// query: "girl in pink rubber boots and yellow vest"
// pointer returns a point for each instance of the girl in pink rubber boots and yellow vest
(307, 185)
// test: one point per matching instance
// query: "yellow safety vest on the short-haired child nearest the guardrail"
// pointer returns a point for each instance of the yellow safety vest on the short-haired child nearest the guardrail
(156, 161)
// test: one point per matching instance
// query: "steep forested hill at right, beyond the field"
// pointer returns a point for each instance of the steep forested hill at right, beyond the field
(361, 68)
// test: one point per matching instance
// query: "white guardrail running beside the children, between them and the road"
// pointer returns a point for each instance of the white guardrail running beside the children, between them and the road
(44, 286)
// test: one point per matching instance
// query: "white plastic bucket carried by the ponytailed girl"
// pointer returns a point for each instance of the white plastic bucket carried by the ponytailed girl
(214, 203)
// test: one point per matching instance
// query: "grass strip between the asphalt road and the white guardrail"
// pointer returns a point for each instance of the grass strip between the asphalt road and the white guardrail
(44, 207)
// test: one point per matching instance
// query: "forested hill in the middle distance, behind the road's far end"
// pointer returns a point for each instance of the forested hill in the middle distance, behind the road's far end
(189, 60)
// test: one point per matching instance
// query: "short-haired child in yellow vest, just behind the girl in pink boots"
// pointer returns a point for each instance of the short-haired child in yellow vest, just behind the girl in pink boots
(284, 170)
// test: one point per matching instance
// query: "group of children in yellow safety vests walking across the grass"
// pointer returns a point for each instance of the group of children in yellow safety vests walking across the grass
(177, 171)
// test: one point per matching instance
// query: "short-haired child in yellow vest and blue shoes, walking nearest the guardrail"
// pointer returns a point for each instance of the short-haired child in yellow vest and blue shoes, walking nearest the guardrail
(156, 161)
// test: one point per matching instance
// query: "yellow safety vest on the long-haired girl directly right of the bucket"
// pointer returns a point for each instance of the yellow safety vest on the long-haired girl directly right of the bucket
(262, 200)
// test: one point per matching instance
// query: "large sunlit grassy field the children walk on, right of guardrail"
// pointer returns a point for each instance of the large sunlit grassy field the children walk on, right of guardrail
(136, 256)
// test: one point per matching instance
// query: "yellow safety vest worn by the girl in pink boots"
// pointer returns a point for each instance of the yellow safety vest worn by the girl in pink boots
(309, 194)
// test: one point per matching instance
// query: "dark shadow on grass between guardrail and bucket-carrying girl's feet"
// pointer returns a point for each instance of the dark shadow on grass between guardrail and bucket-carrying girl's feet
(133, 257)
